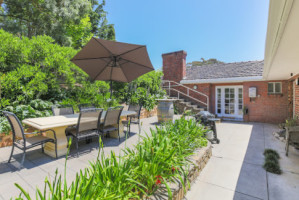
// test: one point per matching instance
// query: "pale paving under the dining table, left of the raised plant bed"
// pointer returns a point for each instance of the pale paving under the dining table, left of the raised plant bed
(38, 166)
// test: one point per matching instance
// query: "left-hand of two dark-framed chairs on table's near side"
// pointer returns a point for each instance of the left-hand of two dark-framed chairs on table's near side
(87, 125)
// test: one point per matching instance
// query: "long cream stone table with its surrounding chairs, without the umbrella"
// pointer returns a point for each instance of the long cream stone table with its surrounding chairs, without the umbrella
(88, 123)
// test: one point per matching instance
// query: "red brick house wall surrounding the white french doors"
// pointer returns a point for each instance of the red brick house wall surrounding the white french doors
(265, 108)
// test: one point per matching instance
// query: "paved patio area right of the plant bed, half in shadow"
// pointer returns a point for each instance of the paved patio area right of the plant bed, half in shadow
(235, 169)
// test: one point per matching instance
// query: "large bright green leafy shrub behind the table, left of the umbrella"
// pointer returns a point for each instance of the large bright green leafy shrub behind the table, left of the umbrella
(37, 68)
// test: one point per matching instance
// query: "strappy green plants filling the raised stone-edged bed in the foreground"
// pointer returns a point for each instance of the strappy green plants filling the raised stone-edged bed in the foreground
(158, 159)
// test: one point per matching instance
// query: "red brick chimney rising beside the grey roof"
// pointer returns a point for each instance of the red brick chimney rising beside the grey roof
(174, 65)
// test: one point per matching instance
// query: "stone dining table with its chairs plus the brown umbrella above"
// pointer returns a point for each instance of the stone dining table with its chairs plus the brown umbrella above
(102, 60)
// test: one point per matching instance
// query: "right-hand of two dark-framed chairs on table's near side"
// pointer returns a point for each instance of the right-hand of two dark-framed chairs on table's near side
(111, 119)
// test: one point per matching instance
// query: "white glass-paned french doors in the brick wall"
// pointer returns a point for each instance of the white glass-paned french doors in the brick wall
(229, 101)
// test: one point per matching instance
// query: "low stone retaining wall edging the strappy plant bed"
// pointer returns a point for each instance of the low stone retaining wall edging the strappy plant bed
(200, 159)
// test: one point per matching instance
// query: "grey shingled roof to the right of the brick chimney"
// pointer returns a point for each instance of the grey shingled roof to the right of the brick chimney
(225, 70)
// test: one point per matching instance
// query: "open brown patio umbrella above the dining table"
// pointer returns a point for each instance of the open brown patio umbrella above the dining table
(113, 61)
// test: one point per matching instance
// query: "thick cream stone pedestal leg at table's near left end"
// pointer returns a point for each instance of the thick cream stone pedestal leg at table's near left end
(61, 143)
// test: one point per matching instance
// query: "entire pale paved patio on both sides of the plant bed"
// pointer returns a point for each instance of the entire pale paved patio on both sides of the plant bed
(234, 171)
